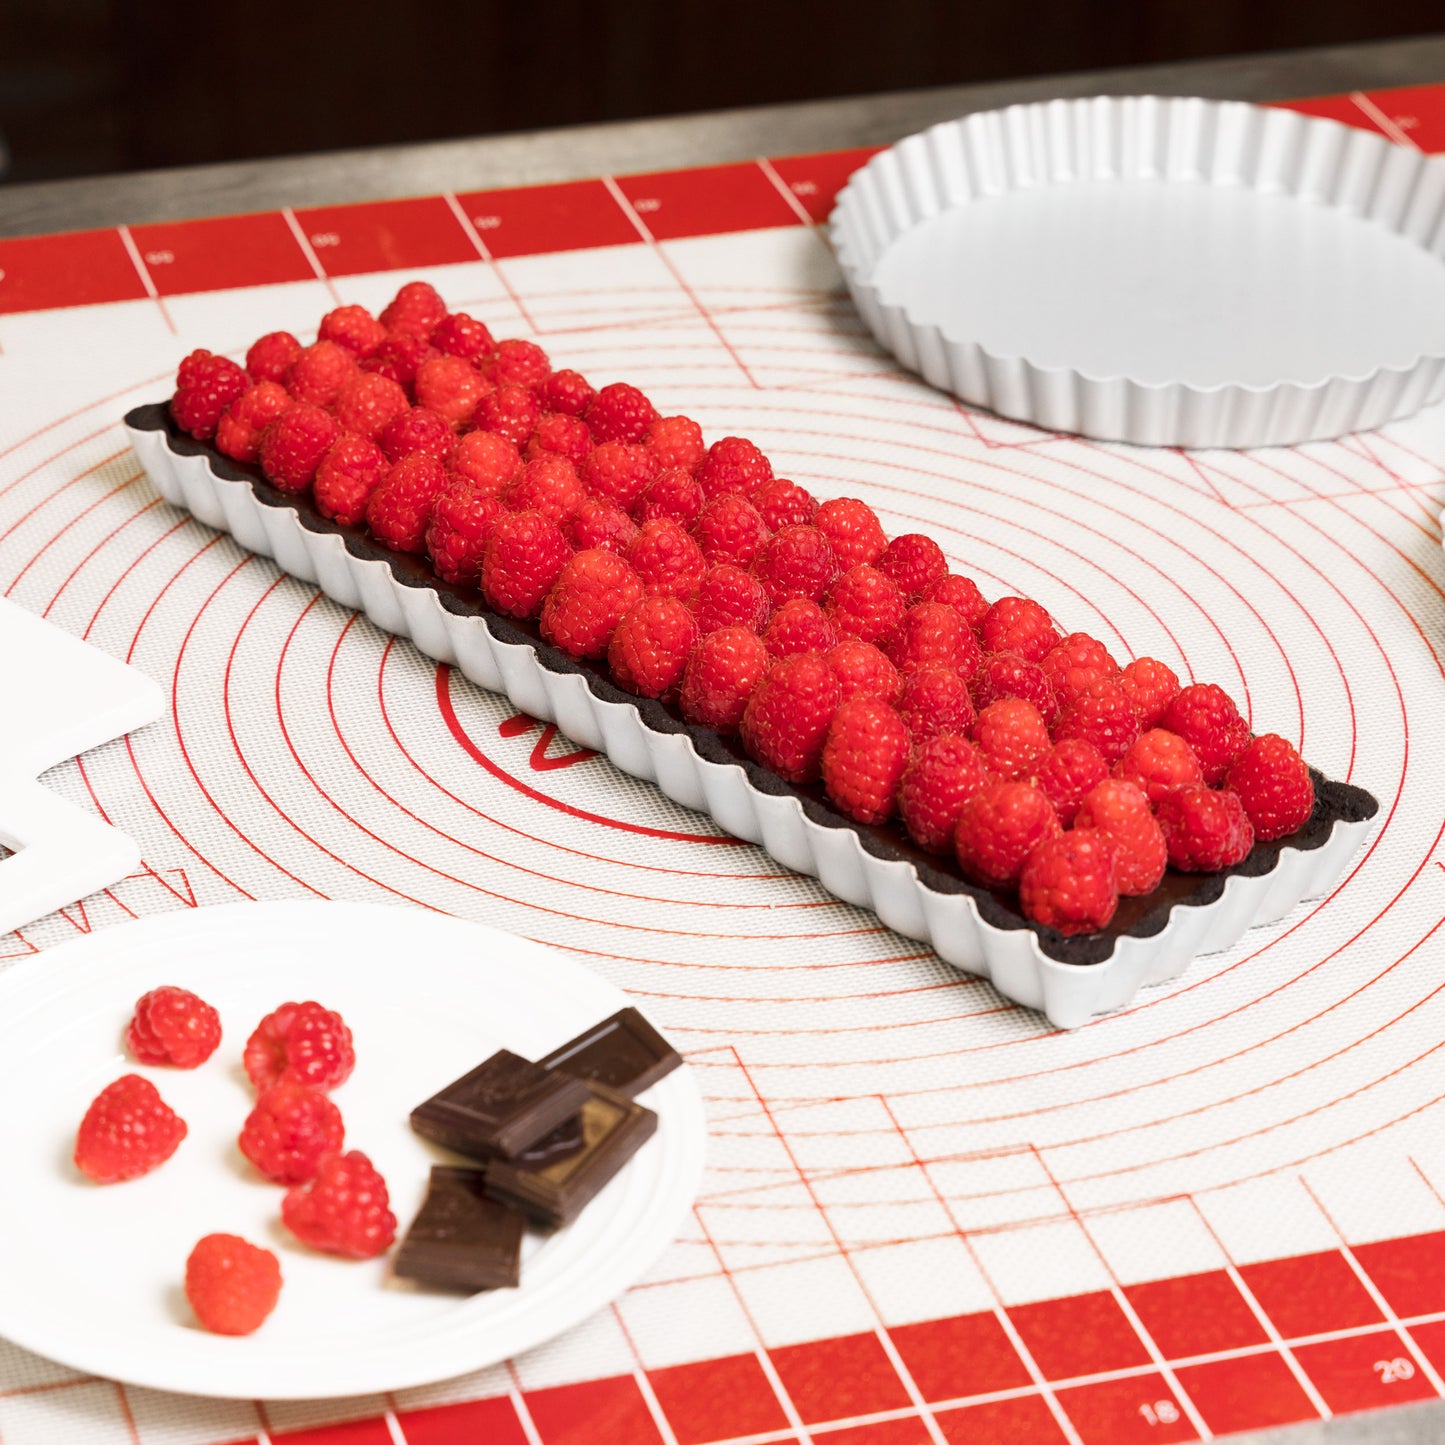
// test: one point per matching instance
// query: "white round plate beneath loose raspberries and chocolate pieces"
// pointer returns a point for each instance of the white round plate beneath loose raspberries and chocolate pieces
(92, 1275)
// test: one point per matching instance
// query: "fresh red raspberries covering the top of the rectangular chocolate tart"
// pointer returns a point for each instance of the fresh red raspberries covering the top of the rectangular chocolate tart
(703, 579)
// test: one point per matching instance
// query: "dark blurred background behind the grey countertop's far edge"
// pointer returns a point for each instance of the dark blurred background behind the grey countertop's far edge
(102, 86)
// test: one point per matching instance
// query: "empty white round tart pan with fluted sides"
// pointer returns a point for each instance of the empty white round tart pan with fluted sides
(1157, 271)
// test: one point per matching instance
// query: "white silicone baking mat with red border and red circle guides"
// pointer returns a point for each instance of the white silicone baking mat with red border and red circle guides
(927, 1217)
